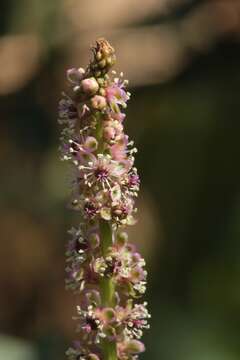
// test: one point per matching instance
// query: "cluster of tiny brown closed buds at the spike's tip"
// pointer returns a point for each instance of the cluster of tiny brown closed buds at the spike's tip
(104, 58)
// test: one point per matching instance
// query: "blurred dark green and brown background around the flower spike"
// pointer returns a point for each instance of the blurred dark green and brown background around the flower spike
(182, 59)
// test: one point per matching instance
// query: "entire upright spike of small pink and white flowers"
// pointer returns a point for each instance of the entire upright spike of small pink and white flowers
(102, 267)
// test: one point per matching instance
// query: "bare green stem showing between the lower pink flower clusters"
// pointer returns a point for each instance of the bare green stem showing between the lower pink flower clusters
(107, 287)
